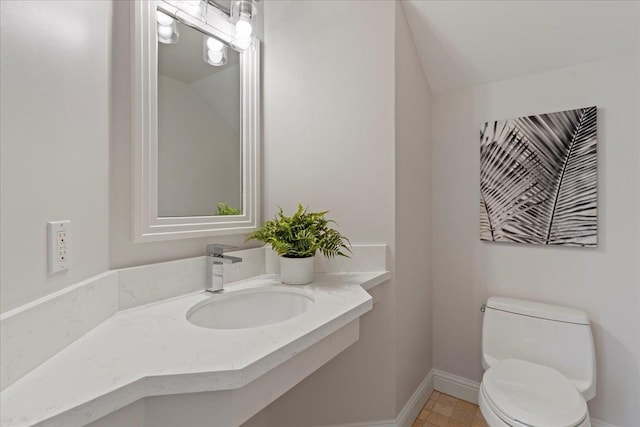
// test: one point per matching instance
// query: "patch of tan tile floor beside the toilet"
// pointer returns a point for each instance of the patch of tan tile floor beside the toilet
(442, 410)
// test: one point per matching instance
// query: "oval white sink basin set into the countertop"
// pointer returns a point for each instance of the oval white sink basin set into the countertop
(250, 308)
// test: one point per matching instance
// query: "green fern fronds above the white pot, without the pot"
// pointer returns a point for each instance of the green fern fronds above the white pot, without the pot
(302, 234)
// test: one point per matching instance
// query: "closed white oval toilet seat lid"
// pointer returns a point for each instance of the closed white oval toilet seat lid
(526, 394)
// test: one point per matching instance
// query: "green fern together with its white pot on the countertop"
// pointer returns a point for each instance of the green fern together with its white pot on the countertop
(297, 238)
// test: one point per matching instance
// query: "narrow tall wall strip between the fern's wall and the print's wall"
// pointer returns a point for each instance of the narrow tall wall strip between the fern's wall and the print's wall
(413, 216)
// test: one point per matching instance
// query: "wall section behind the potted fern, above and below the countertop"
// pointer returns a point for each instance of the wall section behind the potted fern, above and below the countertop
(329, 144)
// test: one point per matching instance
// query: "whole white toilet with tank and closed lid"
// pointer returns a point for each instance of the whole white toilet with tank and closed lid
(540, 365)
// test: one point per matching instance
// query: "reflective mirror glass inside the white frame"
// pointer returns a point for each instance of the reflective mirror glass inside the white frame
(199, 129)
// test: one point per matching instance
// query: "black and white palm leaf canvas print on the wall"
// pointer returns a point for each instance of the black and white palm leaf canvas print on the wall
(538, 179)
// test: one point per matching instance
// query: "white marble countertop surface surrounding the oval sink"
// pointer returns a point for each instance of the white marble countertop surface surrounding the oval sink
(153, 350)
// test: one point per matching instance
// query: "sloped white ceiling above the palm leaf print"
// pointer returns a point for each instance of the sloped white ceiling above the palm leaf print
(466, 43)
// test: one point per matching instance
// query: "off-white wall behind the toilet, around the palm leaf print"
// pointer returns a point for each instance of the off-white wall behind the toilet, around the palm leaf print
(605, 282)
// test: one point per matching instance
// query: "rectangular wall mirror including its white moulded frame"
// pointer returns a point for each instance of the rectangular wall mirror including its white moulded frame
(195, 128)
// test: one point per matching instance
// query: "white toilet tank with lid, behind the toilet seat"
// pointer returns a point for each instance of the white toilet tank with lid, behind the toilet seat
(551, 335)
